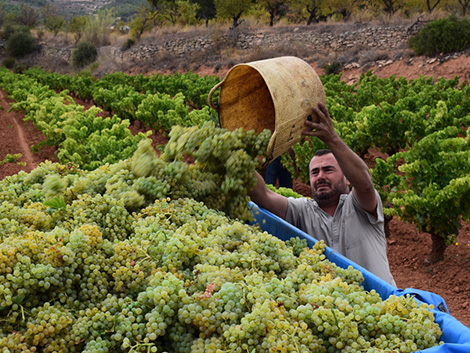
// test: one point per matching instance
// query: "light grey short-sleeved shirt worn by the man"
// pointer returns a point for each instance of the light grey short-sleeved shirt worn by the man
(352, 231)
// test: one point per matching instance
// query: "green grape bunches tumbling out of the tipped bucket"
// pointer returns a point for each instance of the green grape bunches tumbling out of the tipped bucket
(224, 161)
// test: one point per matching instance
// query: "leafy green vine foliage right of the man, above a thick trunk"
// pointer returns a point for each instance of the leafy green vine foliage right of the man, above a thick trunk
(421, 193)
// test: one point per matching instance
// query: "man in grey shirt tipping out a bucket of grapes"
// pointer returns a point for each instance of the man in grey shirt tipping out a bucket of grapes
(350, 222)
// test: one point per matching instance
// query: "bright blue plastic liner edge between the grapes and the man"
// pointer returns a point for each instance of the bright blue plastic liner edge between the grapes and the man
(455, 334)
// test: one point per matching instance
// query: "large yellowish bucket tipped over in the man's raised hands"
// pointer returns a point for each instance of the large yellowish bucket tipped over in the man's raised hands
(276, 94)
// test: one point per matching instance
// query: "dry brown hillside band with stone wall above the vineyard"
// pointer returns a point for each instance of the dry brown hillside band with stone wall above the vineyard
(352, 48)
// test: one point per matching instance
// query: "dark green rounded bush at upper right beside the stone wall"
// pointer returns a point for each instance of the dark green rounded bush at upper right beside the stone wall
(446, 35)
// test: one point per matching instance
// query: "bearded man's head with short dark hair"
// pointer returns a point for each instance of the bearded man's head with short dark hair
(327, 181)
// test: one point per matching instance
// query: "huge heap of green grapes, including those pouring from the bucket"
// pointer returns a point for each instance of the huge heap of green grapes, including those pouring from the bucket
(155, 254)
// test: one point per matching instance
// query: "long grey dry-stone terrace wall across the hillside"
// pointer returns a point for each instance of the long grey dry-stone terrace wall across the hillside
(326, 38)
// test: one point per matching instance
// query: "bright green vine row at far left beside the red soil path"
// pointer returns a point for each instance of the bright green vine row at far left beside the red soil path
(80, 136)
